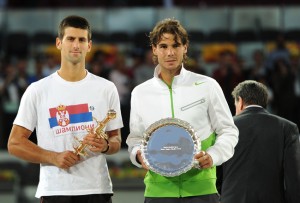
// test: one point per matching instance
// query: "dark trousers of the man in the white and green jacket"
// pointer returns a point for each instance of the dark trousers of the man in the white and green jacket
(213, 198)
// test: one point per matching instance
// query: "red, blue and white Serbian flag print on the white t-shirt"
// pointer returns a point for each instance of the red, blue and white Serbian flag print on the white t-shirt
(65, 115)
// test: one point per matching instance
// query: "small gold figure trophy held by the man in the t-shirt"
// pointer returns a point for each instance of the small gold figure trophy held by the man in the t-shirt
(98, 131)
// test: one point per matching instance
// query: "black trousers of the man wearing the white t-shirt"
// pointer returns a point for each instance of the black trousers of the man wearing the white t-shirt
(94, 198)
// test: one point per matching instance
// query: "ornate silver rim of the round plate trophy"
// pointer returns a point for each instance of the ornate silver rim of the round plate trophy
(169, 122)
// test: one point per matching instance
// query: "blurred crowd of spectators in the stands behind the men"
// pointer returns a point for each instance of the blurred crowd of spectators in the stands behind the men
(279, 69)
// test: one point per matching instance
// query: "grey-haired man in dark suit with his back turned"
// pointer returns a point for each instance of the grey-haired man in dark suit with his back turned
(265, 167)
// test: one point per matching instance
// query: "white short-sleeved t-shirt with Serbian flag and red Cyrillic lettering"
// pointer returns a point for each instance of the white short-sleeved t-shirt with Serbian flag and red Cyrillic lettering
(60, 111)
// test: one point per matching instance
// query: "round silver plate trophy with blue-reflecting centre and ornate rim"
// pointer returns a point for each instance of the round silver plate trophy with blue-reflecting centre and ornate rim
(169, 147)
